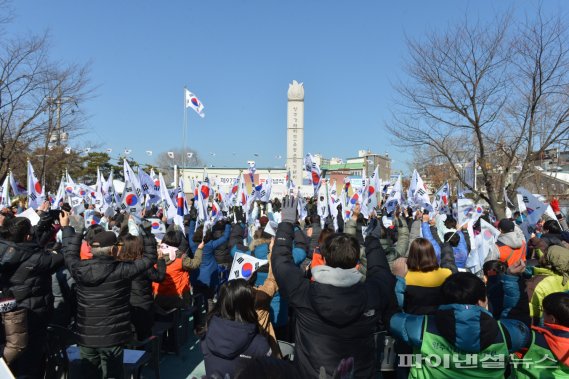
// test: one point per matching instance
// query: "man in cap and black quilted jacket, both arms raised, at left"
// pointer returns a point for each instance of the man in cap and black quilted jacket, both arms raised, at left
(103, 292)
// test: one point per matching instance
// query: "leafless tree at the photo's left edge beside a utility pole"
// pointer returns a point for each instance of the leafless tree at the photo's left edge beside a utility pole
(38, 100)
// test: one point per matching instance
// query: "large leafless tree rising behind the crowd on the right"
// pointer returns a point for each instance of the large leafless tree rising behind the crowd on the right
(495, 92)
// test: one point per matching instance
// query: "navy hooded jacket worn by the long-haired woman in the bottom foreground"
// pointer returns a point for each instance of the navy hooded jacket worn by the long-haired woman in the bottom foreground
(226, 355)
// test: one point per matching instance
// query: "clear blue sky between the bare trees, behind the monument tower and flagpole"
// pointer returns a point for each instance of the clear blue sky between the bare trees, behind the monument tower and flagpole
(238, 57)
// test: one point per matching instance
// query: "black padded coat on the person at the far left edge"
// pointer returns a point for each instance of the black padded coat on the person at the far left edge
(26, 270)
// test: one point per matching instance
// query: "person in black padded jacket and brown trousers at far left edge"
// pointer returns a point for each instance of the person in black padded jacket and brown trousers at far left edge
(25, 278)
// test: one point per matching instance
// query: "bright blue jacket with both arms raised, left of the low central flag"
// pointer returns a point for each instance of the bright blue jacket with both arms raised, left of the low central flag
(207, 274)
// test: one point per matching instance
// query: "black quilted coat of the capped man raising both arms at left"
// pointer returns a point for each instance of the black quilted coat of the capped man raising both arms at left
(103, 292)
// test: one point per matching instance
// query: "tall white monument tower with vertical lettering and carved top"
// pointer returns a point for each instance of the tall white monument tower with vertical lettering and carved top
(295, 132)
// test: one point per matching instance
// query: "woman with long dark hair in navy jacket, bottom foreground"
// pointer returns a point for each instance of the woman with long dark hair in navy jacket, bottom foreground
(232, 333)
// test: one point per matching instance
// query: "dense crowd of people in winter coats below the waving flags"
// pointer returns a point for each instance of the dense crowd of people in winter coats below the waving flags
(387, 296)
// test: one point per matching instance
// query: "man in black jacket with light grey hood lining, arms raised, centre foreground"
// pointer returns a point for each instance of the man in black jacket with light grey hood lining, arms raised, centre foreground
(337, 314)
